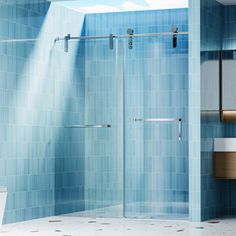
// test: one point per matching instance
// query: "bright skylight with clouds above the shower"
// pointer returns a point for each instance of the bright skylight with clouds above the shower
(101, 6)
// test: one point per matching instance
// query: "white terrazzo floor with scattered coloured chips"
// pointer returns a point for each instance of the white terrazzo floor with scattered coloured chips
(80, 226)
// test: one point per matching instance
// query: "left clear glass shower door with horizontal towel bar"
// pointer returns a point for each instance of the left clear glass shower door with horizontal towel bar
(90, 178)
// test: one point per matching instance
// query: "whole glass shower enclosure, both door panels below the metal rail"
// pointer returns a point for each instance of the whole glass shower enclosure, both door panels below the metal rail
(133, 129)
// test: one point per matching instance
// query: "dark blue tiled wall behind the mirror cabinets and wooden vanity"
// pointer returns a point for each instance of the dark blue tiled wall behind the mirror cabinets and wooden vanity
(218, 32)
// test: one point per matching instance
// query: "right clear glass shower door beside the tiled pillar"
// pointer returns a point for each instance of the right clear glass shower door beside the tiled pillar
(156, 132)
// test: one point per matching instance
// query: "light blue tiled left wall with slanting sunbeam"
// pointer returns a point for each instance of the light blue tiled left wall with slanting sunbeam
(40, 93)
